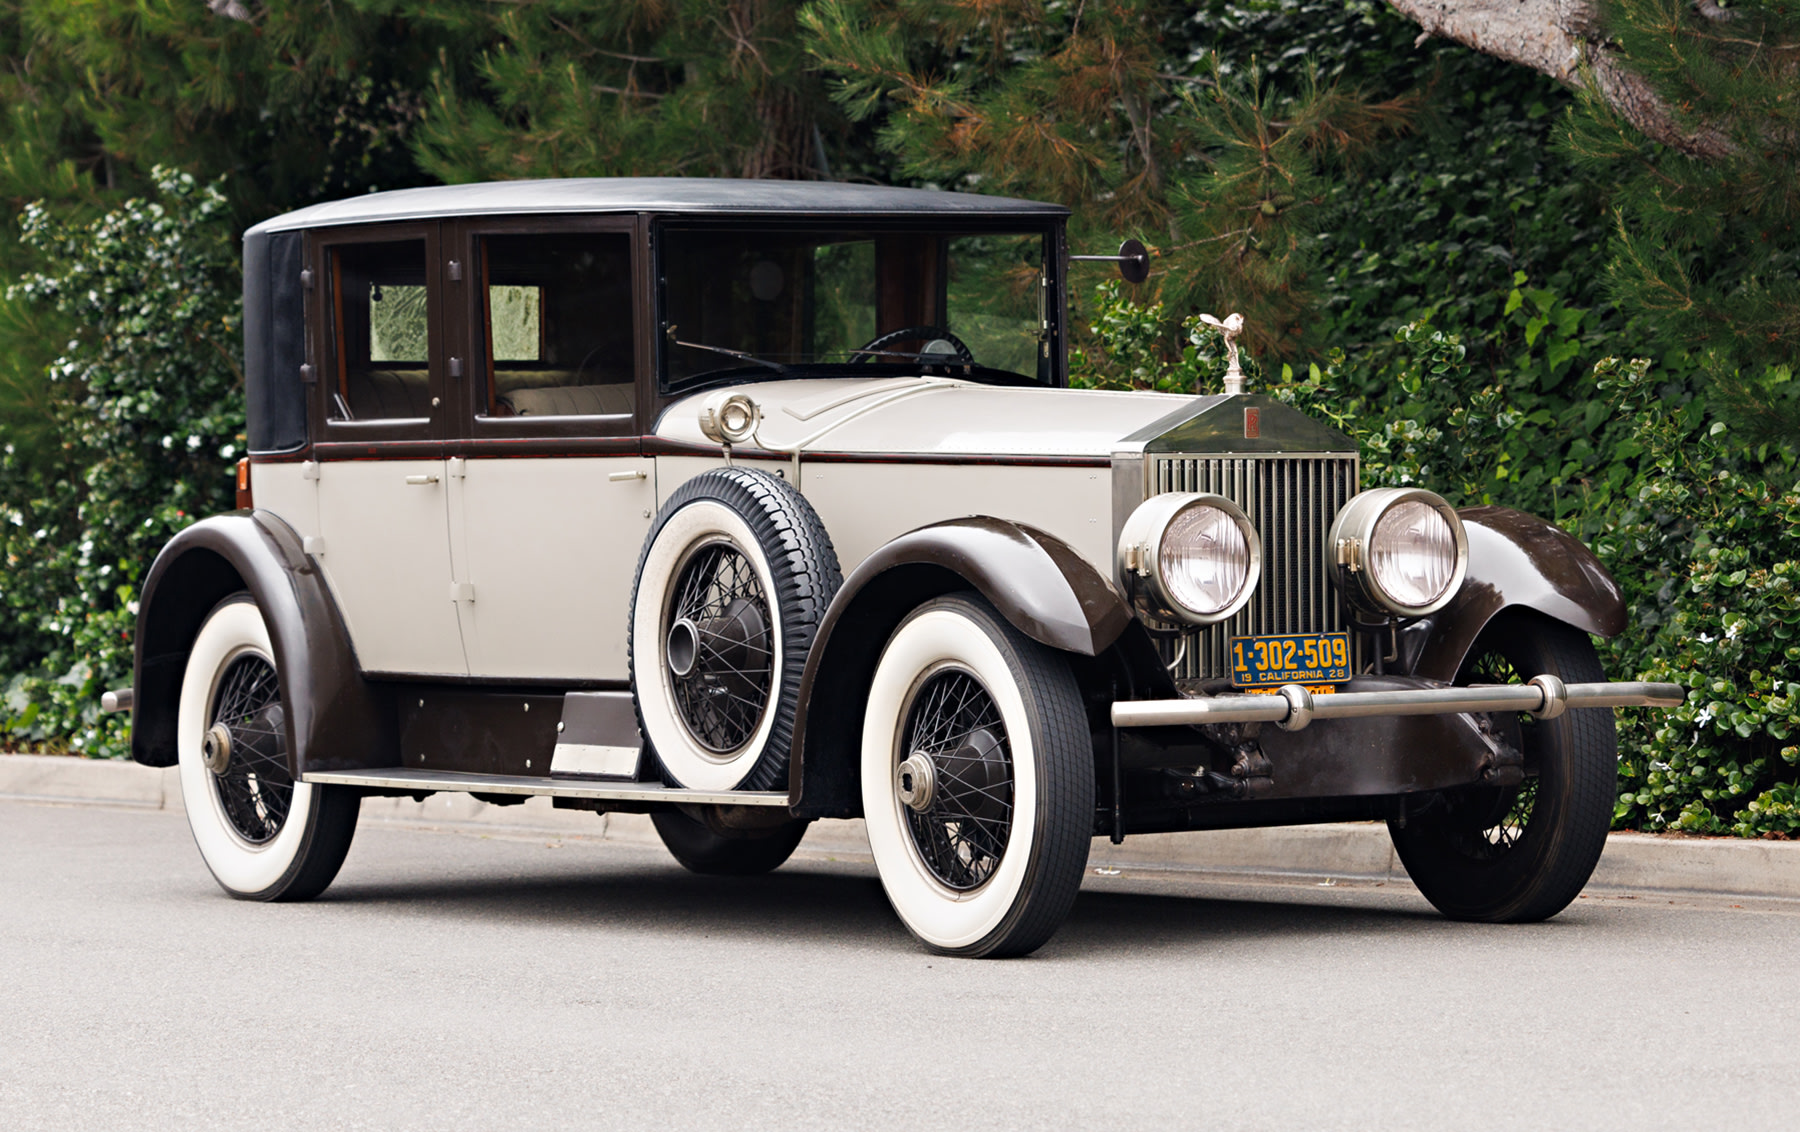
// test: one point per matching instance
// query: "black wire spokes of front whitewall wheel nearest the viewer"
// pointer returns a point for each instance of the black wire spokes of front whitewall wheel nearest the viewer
(957, 737)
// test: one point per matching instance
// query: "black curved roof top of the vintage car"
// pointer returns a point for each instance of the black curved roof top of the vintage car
(694, 195)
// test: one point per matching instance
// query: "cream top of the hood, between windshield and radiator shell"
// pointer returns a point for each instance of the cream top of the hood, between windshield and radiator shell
(931, 417)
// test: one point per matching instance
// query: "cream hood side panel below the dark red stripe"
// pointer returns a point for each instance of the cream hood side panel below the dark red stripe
(867, 507)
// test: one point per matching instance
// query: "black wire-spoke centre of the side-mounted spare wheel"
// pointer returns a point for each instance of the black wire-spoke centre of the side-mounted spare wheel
(721, 654)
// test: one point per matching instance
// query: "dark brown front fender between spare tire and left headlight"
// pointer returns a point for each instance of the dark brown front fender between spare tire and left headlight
(1036, 580)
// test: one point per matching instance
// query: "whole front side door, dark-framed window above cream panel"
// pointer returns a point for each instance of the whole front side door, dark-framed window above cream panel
(550, 494)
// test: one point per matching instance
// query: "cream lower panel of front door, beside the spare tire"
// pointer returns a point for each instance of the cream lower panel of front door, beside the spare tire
(548, 550)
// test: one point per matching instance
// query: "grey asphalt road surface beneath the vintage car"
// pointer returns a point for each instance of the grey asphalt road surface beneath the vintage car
(456, 982)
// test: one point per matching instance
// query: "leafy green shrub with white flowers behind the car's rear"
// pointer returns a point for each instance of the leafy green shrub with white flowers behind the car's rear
(150, 409)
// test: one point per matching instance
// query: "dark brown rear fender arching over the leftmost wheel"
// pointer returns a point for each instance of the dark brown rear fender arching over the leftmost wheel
(334, 719)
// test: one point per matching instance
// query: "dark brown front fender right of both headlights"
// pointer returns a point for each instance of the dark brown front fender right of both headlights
(1518, 561)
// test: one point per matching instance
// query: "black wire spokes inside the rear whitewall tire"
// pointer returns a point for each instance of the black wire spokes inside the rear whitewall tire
(255, 786)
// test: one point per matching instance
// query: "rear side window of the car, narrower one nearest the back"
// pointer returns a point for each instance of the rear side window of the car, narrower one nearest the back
(382, 332)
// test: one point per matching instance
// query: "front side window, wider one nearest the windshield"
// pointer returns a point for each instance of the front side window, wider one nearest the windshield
(557, 325)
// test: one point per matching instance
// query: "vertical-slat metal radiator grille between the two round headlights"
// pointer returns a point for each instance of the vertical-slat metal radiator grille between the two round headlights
(1291, 501)
